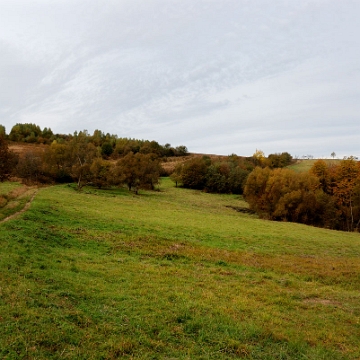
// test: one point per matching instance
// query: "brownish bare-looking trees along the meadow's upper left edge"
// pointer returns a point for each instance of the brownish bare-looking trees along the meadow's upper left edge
(79, 160)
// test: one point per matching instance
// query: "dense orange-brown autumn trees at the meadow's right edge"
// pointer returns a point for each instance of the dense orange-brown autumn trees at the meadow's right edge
(326, 196)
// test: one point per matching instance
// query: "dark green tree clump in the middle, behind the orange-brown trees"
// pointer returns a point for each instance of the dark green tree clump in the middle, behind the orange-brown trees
(224, 175)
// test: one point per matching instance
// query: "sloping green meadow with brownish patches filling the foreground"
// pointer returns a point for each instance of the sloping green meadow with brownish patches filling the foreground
(172, 274)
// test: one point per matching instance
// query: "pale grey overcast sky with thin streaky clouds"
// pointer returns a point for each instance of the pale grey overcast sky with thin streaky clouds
(219, 76)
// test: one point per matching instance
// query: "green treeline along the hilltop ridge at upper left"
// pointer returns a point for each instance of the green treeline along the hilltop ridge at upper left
(108, 145)
